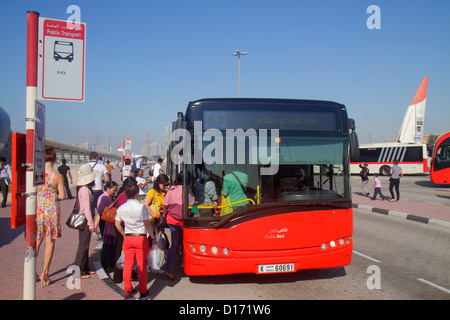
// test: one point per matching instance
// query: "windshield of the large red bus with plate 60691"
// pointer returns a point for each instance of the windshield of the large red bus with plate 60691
(311, 171)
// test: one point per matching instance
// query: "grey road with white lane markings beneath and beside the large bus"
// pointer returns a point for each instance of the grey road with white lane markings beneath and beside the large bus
(392, 259)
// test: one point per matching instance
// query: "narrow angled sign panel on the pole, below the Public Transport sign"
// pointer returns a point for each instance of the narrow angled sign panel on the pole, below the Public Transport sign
(39, 145)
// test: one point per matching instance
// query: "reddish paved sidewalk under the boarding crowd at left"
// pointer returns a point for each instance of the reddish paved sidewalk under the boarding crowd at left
(12, 250)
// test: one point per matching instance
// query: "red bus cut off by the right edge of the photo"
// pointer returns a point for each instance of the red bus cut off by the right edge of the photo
(440, 163)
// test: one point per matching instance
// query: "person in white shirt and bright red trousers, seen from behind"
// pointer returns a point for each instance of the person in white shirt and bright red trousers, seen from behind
(134, 215)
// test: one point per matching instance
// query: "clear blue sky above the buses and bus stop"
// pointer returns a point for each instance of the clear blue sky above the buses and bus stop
(147, 59)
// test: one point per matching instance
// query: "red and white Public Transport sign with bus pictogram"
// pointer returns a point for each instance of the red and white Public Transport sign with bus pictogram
(61, 64)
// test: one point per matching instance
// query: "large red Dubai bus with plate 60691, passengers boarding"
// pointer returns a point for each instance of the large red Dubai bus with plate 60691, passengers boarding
(257, 211)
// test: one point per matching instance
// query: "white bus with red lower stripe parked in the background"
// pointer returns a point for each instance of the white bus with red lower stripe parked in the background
(412, 158)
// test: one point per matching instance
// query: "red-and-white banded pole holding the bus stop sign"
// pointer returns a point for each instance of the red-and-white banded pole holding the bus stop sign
(29, 283)
